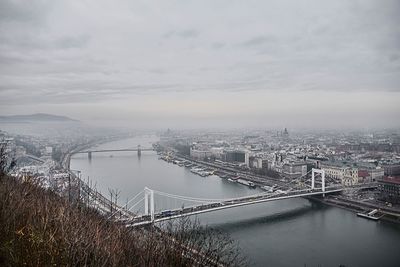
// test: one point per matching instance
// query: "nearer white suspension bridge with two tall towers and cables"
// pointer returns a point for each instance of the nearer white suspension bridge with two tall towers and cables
(173, 206)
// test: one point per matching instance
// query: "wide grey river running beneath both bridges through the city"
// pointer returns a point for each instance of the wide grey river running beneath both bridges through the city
(293, 232)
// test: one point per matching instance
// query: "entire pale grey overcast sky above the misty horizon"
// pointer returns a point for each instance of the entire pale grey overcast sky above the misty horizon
(209, 63)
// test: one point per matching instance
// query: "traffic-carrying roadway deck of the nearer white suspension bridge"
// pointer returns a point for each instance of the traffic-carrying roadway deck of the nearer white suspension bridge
(237, 202)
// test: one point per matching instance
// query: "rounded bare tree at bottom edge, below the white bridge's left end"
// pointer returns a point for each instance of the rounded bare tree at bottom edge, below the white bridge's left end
(185, 242)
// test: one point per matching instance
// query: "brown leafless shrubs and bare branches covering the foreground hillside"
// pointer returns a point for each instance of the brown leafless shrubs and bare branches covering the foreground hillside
(39, 228)
